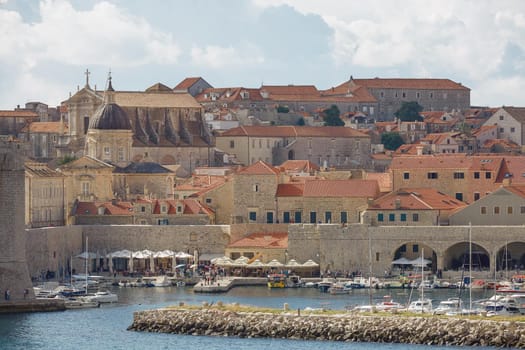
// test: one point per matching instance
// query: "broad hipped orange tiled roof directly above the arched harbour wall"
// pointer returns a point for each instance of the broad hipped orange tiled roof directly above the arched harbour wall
(417, 199)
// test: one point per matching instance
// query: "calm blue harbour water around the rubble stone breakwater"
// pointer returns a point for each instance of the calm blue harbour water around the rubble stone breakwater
(105, 327)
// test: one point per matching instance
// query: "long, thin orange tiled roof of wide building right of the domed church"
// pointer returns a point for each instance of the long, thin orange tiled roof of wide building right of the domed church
(293, 131)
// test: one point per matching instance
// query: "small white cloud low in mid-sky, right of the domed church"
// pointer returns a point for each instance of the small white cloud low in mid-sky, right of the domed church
(217, 57)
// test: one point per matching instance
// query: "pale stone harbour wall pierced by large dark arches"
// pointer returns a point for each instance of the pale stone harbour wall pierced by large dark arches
(349, 248)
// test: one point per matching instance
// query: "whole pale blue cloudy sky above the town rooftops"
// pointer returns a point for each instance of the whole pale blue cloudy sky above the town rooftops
(46, 46)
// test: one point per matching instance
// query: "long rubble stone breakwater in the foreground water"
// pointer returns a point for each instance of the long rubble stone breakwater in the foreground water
(343, 327)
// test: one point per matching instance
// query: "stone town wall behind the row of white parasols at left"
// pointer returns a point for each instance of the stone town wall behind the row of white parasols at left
(52, 248)
